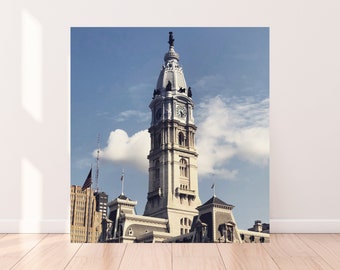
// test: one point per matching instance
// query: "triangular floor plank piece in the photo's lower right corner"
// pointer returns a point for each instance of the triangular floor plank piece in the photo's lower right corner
(326, 246)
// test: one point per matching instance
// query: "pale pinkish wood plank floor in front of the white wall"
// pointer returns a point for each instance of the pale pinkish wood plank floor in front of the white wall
(54, 251)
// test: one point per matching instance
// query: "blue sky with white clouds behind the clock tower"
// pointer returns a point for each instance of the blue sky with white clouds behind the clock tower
(113, 74)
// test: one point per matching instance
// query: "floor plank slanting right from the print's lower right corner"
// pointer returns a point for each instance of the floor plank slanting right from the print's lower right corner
(290, 252)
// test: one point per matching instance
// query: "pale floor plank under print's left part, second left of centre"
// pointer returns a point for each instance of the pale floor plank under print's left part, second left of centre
(98, 256)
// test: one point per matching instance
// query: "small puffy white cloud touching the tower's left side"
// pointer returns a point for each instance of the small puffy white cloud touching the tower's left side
(127, 150)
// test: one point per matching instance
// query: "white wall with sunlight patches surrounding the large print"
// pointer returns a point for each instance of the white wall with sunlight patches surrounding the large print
(304, 97)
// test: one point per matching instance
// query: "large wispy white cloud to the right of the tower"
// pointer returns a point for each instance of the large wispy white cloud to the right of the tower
(231, 128)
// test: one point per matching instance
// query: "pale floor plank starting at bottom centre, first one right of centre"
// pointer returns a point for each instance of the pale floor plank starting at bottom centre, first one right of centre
(196, 256)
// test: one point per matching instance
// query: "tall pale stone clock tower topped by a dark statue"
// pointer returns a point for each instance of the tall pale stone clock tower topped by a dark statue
(173, 183)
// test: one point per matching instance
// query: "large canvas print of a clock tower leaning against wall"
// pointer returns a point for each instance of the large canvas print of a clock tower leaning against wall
(170, 135)
